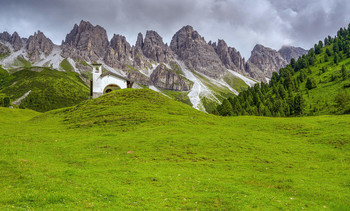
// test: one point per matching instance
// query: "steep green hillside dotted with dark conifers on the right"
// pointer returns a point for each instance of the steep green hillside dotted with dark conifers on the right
(317, 84)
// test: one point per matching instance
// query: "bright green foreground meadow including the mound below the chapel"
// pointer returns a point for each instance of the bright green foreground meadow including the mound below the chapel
(136, 149)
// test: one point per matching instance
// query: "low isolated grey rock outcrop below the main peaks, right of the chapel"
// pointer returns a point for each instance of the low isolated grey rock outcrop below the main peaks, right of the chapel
(165, 78)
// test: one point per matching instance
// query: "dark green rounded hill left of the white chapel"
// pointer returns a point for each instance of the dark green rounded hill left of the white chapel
(50, 89)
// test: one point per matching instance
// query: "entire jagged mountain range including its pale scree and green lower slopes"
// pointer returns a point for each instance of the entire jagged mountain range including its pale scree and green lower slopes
(204, 70)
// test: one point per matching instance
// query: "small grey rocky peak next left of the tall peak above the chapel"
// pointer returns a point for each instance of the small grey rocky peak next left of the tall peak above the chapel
(37, 44)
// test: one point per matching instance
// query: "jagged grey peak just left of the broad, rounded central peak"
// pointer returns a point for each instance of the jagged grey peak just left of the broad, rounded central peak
(154, 48)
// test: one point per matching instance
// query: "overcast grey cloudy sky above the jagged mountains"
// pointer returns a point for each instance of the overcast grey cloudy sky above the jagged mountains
(241, 23)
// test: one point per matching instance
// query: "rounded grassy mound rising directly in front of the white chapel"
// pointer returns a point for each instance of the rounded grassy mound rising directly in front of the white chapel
(127, 107)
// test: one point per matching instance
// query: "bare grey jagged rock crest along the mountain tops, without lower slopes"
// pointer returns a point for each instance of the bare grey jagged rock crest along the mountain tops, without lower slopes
(90, 43)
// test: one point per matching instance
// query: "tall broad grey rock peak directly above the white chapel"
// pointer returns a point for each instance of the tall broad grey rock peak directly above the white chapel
(86, 42)
